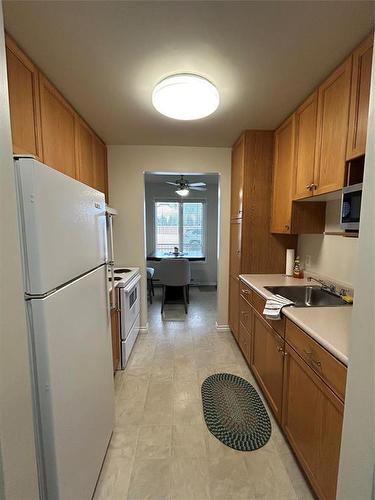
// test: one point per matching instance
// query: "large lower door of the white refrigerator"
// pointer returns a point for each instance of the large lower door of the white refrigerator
(72, 358)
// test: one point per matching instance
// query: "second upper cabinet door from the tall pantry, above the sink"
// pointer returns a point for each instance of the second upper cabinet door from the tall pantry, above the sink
(303, 178)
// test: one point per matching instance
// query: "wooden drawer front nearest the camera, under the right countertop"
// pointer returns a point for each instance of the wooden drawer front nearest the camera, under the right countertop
(324, 364)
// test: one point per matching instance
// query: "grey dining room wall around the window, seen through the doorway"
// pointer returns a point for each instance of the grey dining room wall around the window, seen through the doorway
(202, 272)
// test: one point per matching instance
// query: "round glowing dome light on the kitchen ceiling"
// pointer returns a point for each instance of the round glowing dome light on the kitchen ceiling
(185, 97)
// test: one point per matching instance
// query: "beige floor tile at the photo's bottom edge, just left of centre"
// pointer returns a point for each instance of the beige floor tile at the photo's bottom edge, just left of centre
(150, 480)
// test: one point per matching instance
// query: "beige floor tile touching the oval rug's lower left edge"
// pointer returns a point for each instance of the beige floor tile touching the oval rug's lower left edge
(188, 441)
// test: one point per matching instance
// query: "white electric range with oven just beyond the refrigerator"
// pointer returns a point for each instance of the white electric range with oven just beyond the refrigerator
(129, 306)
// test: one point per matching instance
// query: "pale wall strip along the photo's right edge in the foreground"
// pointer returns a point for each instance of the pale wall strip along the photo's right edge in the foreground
(357, 463)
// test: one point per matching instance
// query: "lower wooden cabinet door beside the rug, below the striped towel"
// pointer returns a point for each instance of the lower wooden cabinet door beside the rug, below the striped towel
(267, 360)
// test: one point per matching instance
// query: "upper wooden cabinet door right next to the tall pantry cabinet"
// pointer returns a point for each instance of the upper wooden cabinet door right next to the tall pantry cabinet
(283, 177)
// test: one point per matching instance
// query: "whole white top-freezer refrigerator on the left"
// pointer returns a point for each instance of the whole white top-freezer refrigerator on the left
(64, 249)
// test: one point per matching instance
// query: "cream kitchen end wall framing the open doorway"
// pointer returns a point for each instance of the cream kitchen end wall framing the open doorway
(126, 166)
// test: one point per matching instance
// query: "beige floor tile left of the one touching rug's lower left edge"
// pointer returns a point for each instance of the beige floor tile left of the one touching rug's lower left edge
(154, 441)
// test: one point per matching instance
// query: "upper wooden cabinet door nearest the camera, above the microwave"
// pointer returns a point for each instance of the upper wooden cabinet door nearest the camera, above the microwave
(359, 100)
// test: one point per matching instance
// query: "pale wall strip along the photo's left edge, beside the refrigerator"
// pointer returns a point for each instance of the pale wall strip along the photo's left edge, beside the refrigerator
(18, 475)
